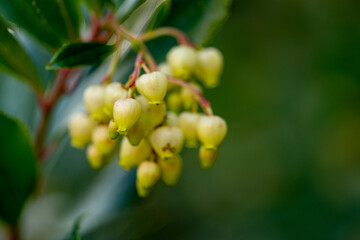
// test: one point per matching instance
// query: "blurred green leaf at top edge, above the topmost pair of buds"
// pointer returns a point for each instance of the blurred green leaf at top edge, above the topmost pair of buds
(200, 19)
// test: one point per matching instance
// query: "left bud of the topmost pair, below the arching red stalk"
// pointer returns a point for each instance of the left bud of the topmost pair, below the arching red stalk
(182, 61)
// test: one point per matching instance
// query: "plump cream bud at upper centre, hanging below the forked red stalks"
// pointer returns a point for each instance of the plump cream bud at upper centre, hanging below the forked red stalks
(152, 86)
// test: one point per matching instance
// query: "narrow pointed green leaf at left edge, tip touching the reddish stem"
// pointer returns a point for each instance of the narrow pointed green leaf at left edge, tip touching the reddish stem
(14, 60)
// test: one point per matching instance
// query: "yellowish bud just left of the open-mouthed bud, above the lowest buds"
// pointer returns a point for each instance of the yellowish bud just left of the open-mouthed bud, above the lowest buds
(131, 156)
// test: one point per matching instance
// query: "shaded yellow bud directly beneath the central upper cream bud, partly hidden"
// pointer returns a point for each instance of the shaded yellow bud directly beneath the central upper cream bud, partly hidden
(152, 115)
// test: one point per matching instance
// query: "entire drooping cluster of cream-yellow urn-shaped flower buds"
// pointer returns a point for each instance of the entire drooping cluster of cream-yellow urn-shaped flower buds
(157, 122)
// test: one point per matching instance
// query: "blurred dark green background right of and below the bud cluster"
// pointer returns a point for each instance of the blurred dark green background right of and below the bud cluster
(290, 165)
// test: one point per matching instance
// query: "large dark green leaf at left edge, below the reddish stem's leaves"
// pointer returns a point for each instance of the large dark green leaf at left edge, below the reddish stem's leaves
(17, 168)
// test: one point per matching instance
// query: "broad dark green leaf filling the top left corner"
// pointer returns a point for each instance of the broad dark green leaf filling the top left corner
(52, 22)
